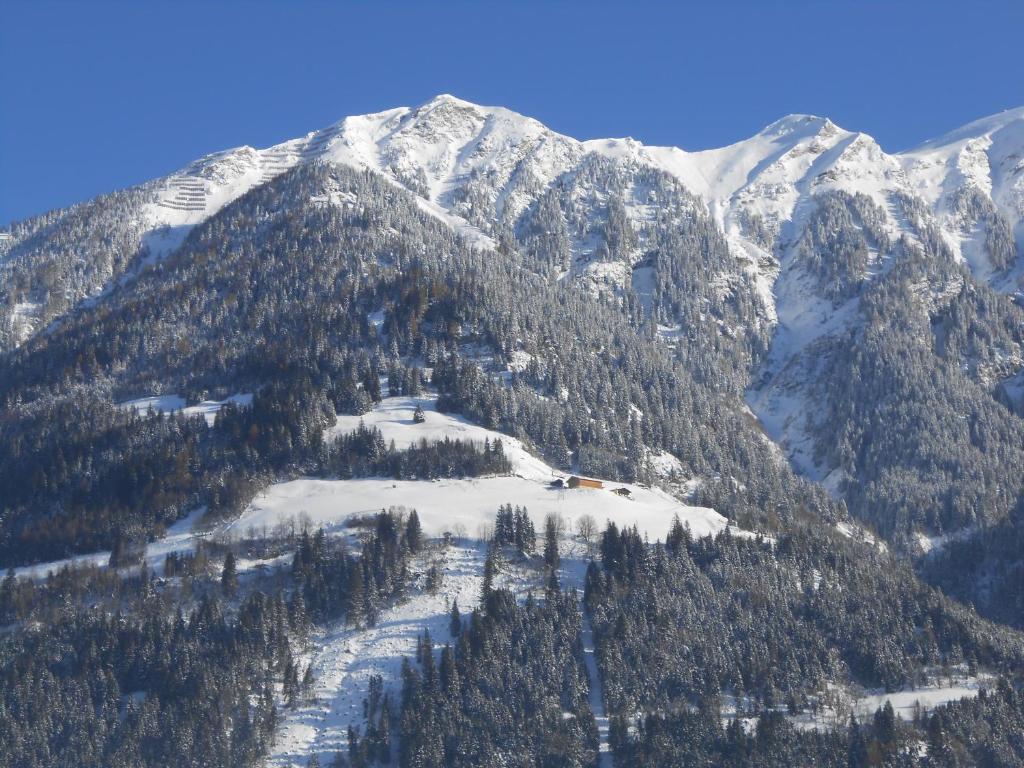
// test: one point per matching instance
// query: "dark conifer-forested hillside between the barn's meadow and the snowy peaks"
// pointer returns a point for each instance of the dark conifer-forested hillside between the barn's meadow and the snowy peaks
(291, 284)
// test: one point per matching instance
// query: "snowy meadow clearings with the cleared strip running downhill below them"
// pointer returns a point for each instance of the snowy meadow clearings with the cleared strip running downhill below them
(344, 659)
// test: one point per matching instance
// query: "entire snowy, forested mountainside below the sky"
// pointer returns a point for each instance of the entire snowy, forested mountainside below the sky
(691, 326)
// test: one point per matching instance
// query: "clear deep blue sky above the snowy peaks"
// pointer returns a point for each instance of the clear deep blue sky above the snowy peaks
(99, 96)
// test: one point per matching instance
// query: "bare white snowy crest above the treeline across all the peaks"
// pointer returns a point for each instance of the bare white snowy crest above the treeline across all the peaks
(486, 161)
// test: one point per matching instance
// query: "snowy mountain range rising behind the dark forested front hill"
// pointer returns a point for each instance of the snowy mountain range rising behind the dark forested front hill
(774, 246)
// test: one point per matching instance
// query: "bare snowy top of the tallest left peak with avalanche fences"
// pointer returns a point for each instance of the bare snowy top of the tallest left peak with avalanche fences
(440, 151)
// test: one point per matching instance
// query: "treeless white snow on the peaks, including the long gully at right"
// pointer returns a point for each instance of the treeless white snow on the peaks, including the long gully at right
(484, 172)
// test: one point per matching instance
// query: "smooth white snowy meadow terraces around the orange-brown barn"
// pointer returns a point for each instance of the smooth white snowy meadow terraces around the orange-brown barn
(463, 507)
